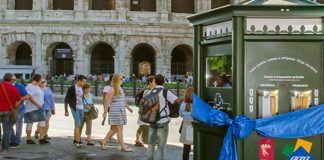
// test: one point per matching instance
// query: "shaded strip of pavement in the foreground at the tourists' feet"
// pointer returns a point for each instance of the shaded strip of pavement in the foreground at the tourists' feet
(61, 148)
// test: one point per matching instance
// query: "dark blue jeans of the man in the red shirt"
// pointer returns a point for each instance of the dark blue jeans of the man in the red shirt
(6, 126)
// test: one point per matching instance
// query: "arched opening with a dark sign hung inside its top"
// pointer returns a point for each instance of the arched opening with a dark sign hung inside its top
(62, 59)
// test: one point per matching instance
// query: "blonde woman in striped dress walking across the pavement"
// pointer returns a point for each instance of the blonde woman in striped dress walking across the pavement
(115, 106)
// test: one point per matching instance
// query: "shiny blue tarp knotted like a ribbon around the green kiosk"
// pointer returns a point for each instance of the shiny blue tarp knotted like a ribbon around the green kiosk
(301, 123)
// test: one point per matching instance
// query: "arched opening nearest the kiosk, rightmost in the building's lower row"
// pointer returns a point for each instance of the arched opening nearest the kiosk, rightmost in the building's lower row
(181, 62)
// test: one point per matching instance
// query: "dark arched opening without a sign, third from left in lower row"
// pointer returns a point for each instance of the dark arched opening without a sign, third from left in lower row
(102, 59)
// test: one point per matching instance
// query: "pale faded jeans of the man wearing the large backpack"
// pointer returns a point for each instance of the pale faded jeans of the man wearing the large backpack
(157, 135)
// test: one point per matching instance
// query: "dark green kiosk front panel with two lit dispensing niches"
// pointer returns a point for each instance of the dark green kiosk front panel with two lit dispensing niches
(281, 77)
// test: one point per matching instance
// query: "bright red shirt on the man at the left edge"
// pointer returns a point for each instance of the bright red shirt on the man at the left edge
(13, 95)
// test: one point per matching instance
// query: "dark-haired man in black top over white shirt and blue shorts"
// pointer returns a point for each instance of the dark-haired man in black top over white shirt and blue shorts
(73, 99)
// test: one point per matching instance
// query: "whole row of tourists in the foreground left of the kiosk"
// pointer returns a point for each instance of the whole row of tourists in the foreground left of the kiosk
(34, 103)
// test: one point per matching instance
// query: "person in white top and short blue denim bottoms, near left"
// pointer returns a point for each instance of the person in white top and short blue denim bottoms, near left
(35, 112)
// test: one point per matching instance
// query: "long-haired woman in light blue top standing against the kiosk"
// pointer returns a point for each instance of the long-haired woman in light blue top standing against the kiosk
(186, 136)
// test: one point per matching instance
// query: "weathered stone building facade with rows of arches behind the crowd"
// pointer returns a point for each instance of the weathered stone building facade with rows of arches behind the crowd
(99, 36)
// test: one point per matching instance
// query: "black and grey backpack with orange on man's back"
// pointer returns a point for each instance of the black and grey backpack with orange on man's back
(149, 107)
